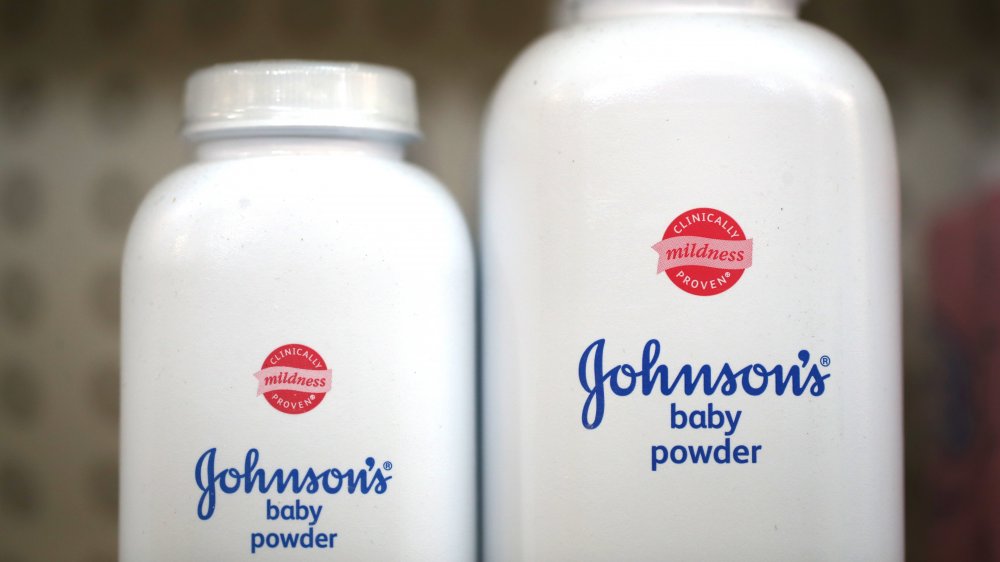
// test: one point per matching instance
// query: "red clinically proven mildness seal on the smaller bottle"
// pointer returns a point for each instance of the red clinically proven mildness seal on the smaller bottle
(294, 379)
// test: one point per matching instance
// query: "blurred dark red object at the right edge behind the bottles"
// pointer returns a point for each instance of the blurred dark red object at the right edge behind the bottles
(965, 288)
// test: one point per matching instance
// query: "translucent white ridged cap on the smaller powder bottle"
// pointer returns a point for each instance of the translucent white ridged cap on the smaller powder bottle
(300, 97)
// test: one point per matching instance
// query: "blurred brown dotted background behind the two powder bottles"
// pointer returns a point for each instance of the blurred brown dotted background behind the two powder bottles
(89, 114)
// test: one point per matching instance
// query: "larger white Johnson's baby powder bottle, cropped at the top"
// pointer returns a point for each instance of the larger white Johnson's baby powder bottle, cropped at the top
(691, 292)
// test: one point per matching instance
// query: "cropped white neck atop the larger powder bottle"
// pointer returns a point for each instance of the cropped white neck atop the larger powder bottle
(589, 10)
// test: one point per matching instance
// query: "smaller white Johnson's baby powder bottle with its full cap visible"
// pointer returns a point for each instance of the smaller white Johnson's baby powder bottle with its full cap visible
(297, 331)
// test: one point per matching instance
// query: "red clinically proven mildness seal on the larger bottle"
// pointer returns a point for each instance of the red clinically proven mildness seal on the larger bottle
(704, 252)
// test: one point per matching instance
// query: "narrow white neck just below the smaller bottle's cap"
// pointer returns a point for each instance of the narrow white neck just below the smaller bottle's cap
(228, 148)
